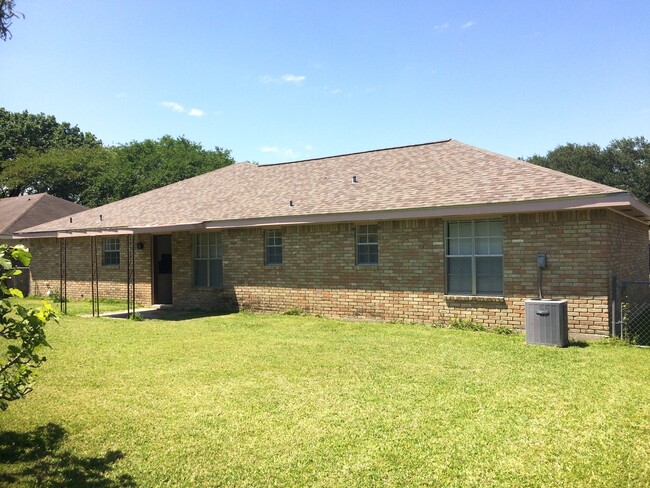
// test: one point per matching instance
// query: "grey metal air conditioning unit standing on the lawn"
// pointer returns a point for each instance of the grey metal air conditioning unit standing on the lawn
(547, 322)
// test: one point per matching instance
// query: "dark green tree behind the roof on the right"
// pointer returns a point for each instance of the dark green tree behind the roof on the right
(624, 164)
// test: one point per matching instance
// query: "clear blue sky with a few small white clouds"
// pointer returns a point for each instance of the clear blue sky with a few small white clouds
(286, 80)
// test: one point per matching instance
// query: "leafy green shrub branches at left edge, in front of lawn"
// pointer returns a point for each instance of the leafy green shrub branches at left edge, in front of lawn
(22, 331)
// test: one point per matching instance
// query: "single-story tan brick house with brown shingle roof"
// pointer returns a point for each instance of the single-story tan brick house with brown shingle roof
(421, 233)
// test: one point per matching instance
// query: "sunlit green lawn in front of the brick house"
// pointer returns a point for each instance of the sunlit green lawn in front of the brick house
(259, 400)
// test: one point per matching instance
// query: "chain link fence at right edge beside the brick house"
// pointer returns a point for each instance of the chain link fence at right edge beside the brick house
(635, 312)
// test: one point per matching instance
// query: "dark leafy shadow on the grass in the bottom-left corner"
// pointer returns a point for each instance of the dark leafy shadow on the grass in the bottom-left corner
(36, 458)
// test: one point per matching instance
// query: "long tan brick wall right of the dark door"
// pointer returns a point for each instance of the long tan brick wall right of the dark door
(319, 275)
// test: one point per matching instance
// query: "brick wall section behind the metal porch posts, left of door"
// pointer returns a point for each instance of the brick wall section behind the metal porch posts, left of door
(45, 269)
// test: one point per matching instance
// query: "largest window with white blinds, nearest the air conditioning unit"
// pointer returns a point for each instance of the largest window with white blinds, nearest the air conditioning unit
(475, 257)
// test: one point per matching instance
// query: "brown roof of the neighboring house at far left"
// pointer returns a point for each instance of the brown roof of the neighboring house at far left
(17, 213)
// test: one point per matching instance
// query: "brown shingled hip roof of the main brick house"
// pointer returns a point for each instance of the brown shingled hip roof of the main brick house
(440, 179)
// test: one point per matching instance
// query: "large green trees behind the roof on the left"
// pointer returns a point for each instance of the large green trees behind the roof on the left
(39, 154)
